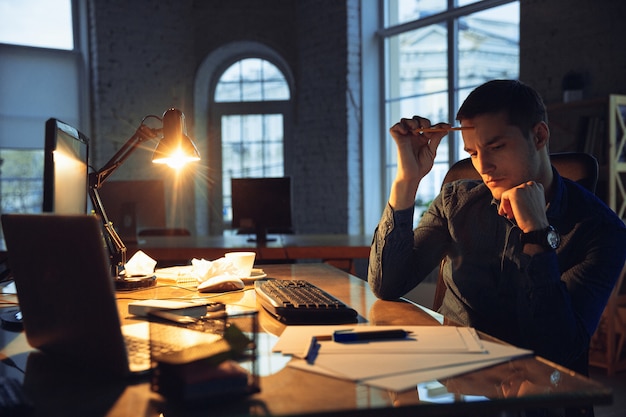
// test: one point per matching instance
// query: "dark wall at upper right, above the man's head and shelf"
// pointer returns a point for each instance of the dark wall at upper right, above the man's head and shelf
(559, 36)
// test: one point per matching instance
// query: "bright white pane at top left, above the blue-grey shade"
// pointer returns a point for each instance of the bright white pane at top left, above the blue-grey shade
(41, 23)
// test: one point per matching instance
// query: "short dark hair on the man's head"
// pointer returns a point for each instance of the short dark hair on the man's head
(522, 105)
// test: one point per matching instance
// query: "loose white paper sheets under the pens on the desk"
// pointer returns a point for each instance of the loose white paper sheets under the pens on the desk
(430, 352)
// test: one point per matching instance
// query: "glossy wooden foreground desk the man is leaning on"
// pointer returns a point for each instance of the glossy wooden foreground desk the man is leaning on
(287, 391)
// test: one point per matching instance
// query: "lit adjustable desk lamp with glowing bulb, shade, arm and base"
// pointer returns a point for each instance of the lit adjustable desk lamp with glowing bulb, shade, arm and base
(175, 149)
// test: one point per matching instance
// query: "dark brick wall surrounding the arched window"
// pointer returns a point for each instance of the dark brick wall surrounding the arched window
(145, 54)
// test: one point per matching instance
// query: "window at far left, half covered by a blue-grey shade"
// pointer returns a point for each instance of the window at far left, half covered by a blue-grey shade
(41, 71)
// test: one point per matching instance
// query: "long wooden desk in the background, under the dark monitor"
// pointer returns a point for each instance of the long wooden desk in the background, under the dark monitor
(337, 250)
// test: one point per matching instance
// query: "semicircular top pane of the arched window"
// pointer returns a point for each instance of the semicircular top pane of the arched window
(251, 79)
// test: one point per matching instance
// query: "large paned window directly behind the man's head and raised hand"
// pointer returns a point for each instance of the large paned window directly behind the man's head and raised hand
(435, 56)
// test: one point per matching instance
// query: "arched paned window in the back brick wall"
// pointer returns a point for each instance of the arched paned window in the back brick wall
(251, 106)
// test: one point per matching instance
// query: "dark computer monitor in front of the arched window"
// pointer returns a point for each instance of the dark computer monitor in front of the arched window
(261, 206)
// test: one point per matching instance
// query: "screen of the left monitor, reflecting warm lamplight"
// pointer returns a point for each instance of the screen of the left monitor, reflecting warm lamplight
(65, 176)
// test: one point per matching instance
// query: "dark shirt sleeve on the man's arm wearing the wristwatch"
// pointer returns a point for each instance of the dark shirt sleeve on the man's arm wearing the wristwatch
(559, 305)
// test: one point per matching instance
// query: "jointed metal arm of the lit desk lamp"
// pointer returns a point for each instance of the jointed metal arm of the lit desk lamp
(117, 249)
